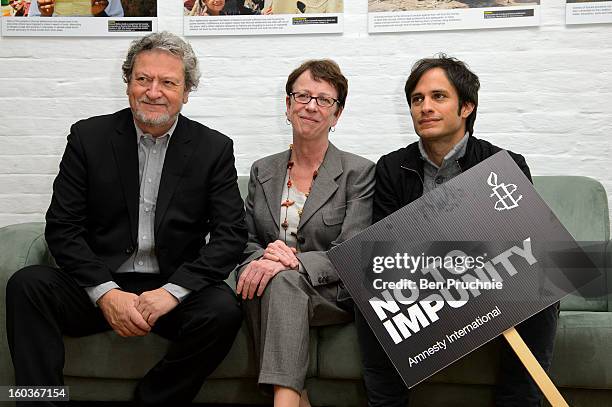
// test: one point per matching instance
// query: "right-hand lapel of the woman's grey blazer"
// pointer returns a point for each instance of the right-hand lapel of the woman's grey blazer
(324, 185)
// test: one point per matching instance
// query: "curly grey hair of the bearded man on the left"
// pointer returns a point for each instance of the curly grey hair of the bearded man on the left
(168, 42)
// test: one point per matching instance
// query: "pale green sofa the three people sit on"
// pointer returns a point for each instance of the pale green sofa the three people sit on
(106, 366)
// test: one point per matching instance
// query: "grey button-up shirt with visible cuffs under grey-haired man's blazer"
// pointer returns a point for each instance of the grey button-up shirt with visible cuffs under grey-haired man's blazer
(151, 155)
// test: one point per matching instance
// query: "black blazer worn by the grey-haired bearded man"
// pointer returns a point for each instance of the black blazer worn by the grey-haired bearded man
(92, 222)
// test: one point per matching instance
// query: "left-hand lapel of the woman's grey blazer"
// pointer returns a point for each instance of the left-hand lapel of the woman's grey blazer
(272, 179)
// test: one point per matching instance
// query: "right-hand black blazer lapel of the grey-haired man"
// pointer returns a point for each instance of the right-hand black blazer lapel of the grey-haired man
(179, 151)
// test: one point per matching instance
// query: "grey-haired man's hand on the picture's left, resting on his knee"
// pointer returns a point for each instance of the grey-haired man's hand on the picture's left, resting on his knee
(119, 309)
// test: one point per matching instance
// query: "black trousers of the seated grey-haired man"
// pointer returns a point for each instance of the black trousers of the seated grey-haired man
(44, 303)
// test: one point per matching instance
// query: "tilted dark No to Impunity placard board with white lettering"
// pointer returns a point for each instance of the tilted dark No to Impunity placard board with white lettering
(453, 270)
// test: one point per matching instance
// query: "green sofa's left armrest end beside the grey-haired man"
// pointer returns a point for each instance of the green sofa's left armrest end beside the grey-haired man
(20, 245)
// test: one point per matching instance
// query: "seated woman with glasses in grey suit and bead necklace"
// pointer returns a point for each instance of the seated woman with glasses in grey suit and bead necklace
(301, 202)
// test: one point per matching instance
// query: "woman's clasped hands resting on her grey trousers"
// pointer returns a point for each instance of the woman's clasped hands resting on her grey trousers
(255, 277)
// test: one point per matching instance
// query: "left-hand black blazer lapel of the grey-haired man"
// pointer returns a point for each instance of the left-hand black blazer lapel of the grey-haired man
(125, 150)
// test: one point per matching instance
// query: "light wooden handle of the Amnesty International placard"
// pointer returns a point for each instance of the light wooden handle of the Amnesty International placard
(533, 367)
